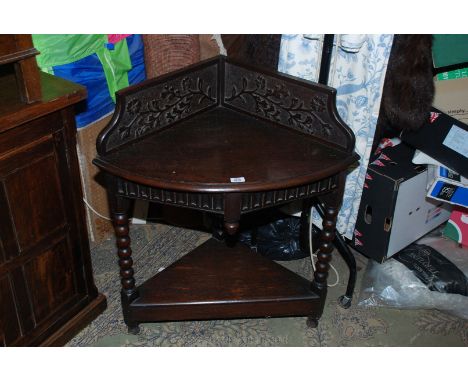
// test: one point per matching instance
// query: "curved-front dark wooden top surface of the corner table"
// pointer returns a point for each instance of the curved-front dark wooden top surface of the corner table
(206, 151)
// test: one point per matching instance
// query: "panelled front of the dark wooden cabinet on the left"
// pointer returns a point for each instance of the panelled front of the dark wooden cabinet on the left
(41, 272)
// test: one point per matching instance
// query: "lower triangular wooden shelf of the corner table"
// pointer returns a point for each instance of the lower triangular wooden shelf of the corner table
(215, 281)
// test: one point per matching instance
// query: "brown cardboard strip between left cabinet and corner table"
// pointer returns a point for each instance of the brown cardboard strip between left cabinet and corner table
(94, 192)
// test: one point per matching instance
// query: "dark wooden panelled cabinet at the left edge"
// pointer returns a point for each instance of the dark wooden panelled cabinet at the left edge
(47, 292)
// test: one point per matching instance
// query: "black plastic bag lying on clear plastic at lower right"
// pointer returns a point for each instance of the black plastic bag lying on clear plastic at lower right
(433, 269)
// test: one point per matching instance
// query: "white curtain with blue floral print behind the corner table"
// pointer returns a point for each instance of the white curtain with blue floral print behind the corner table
(357, 71)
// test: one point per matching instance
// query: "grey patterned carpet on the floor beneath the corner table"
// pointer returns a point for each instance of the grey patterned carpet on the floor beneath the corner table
(156, 246)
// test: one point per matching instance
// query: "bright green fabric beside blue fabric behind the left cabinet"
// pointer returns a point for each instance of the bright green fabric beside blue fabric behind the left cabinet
(60, 49)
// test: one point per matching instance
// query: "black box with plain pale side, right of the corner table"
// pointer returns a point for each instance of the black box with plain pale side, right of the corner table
(394, 211)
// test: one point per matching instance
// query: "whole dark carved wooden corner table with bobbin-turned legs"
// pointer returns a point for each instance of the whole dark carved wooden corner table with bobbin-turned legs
(229, 139)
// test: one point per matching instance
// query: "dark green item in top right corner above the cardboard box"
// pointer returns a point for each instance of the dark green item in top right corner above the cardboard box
(449, 49)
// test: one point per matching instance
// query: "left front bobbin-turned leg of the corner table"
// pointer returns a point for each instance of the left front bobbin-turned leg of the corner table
(120, 208)
